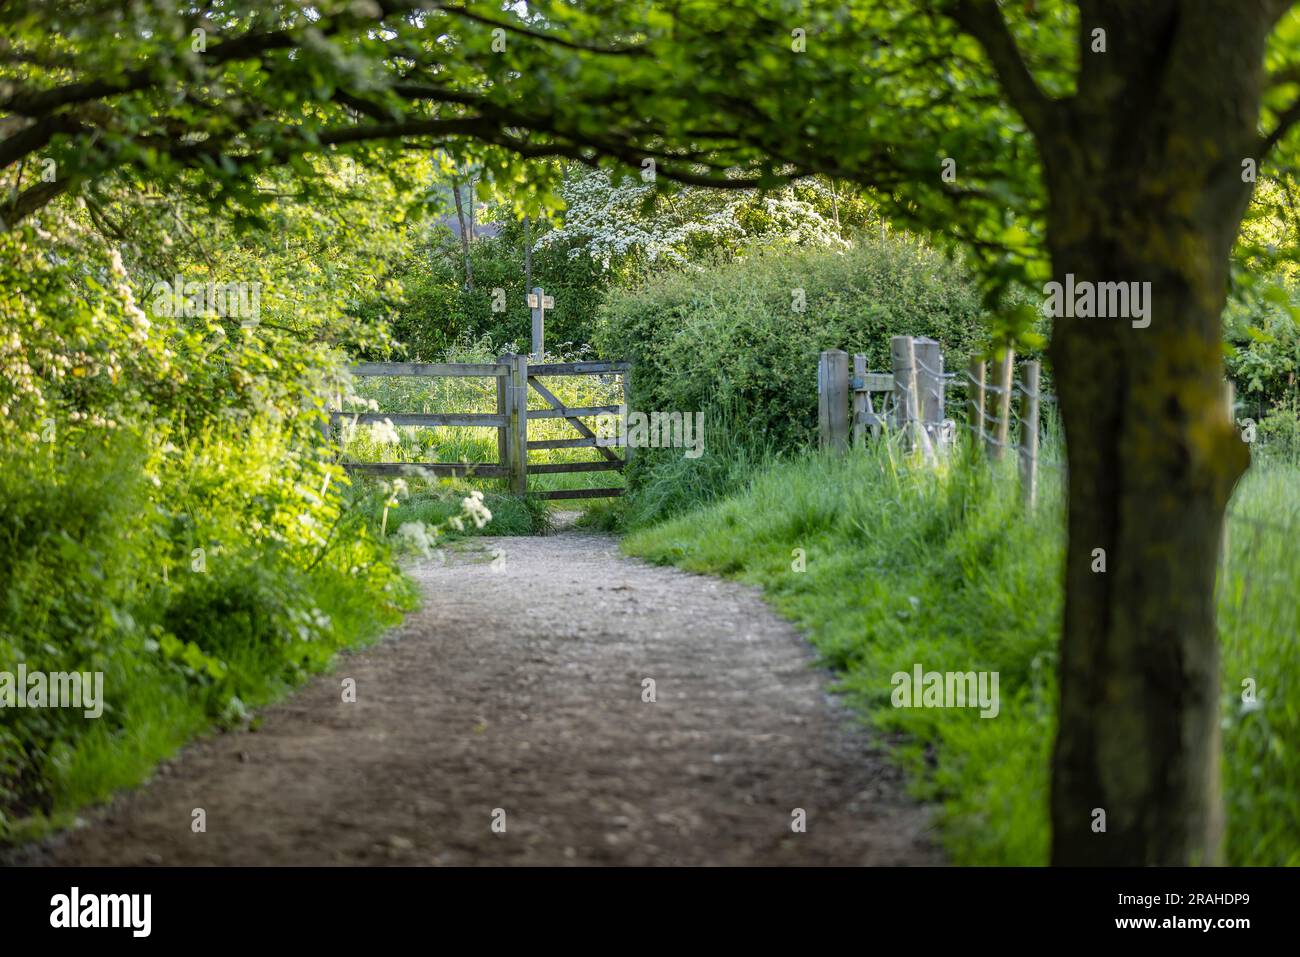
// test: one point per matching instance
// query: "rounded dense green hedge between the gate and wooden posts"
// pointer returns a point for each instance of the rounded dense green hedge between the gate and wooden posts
(736, 336)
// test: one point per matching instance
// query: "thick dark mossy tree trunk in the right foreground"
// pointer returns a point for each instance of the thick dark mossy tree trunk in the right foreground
(1150, 193)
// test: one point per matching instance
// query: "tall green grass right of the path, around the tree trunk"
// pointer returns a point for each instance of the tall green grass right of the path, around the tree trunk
(907, 565)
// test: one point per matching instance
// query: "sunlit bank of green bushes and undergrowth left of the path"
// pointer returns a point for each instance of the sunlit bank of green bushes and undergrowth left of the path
(166, 519)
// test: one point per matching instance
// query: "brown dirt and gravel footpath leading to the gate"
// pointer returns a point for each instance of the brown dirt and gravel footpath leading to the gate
(515, 700)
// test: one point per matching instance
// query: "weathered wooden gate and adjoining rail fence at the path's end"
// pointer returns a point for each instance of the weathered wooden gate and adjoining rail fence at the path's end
(515, 376)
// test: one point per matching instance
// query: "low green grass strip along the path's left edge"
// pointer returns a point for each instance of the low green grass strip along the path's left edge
(158, 704)
